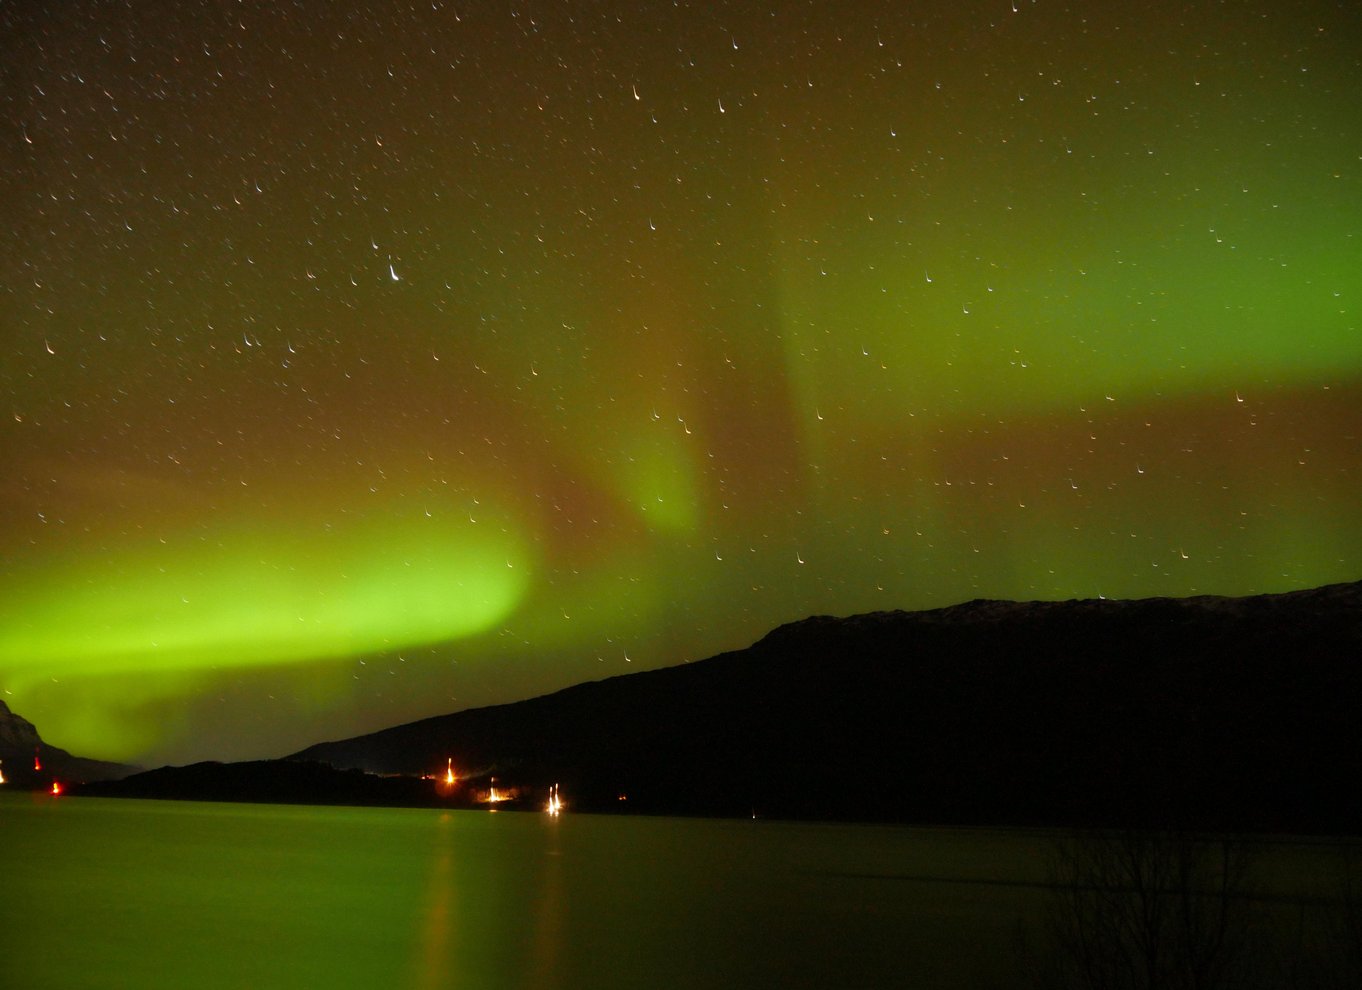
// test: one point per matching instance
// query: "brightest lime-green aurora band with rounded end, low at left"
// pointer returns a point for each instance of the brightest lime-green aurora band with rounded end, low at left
(264, 598)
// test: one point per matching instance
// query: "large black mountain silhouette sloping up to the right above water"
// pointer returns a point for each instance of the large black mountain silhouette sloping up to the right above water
(1206, 712)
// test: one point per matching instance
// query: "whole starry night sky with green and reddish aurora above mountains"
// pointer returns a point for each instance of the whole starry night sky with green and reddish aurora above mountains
(364, 363)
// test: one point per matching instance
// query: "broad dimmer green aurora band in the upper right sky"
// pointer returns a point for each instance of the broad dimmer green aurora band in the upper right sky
(910, 329)
